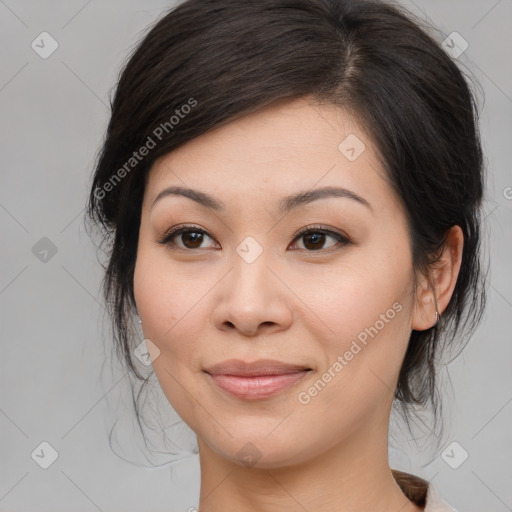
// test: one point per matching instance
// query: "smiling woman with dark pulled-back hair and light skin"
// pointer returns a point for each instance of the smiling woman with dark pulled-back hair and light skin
(292, 192)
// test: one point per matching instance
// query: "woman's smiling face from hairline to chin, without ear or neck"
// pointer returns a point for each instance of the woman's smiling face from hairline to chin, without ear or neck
(242, 284)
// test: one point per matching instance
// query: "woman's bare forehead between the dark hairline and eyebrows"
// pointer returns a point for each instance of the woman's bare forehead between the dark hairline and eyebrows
(290, 146)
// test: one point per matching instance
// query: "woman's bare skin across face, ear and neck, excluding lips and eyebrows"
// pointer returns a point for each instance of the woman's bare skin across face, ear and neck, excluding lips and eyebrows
(201, 306)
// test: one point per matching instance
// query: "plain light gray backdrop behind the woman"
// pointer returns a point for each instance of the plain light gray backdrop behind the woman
(55, 380)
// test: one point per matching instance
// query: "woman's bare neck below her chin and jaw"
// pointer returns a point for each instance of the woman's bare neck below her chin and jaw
(353, 475)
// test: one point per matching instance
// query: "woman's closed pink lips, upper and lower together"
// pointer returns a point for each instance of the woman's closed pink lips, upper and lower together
(256, 380)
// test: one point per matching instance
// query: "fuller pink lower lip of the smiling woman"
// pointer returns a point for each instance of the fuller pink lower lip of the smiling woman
(255, 387)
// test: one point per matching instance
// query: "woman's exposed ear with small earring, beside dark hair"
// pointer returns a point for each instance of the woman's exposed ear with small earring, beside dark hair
(435, 291)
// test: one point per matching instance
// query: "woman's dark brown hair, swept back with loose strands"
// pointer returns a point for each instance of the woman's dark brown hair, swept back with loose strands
(228, 58)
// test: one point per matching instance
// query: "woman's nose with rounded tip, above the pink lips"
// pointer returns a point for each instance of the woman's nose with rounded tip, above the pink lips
(253, 298)
